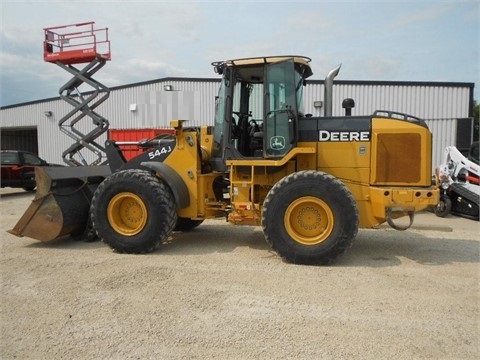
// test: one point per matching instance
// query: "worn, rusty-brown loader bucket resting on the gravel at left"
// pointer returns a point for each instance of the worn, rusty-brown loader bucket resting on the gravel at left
(62, 201)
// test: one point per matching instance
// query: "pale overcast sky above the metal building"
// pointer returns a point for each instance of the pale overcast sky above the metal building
(374, 40)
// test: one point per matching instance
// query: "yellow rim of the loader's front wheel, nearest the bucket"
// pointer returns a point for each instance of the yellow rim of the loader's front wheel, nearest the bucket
(127, 213)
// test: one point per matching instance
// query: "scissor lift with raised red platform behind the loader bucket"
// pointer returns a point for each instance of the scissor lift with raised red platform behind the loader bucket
(77, 44)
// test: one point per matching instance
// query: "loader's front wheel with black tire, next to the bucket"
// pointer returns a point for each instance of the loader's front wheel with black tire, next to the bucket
(133, 211)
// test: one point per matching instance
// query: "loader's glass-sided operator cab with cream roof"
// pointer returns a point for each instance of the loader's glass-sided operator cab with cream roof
(257, 107)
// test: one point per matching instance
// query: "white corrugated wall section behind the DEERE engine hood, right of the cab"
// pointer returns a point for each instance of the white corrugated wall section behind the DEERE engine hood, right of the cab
(439, 104)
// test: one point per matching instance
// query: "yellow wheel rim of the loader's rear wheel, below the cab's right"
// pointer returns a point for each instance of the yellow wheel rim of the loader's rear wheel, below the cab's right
(309, 220)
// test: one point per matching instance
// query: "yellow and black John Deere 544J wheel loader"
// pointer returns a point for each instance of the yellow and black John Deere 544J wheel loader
(310, 182)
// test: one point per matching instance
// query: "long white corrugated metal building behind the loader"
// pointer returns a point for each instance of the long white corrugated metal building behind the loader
(446, 107)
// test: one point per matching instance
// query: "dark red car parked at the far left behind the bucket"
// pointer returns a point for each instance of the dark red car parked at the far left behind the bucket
(18, 168)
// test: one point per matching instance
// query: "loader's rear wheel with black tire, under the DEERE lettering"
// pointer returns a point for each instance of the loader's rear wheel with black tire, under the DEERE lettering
(310, 217)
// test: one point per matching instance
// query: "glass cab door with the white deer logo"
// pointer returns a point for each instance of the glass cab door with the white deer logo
(280, 108)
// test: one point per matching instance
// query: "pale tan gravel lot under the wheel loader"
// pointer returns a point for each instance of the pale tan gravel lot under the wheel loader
(220, 293)
